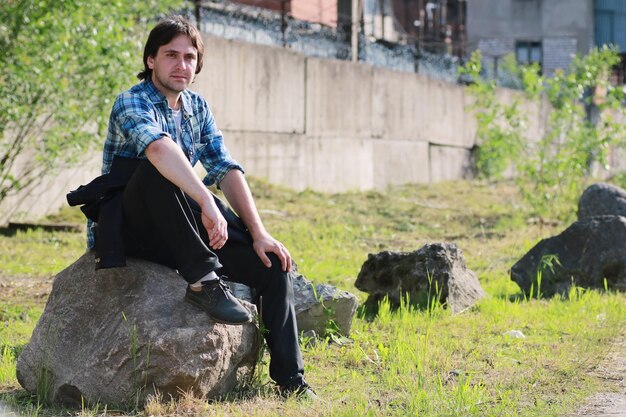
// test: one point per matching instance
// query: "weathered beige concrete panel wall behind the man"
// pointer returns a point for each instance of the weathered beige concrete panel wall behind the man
(313, 123)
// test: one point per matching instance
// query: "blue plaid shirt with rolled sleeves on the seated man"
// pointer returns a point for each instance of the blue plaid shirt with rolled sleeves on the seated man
(142, 115)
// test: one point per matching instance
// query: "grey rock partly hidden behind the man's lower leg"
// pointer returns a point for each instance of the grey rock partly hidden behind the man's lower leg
(315, 305)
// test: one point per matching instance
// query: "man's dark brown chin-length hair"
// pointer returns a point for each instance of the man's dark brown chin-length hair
(163, 33)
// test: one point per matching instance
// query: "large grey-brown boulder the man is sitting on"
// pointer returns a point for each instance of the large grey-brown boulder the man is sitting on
(117, 335)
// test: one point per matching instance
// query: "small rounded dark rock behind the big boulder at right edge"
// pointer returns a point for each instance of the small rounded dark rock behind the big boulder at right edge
(602, 199)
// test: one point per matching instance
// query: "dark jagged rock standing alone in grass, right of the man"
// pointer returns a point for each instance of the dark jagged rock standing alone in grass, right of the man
(436, 270)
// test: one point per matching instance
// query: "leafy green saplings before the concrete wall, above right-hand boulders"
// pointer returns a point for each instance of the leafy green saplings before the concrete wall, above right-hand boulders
(584, 122)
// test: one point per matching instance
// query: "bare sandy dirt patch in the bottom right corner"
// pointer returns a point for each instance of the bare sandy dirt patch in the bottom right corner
(612, 370)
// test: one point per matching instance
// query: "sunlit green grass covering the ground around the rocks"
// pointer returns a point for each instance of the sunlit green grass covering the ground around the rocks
(404, 363)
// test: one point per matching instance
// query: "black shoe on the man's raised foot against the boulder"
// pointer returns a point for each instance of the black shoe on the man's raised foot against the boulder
(218, 302)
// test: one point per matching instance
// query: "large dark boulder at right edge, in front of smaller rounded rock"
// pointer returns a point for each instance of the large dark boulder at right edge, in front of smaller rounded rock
(588, 251)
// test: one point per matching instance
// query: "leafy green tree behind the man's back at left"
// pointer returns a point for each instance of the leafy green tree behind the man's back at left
(61, 64)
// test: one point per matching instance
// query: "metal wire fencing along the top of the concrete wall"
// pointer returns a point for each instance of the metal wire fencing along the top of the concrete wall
(261, 25)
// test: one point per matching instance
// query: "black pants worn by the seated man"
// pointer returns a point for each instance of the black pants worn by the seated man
(163, 225)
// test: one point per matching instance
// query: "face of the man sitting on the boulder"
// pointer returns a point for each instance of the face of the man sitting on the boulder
(174, 65)
